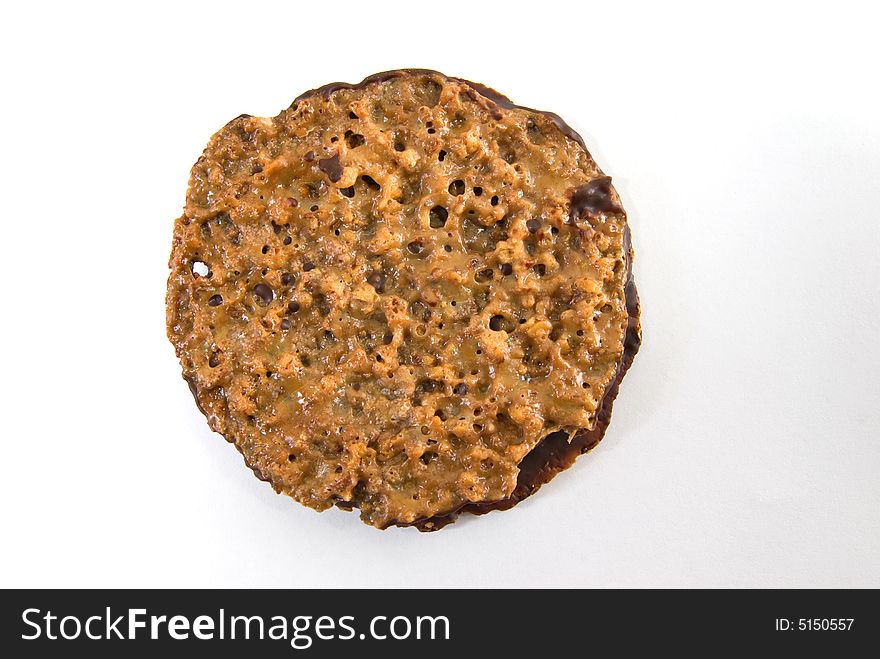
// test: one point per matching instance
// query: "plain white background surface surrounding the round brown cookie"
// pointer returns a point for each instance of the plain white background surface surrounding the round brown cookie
(745, 143)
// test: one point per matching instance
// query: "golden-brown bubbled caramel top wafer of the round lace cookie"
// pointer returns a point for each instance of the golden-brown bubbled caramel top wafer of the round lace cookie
(387, 295)
